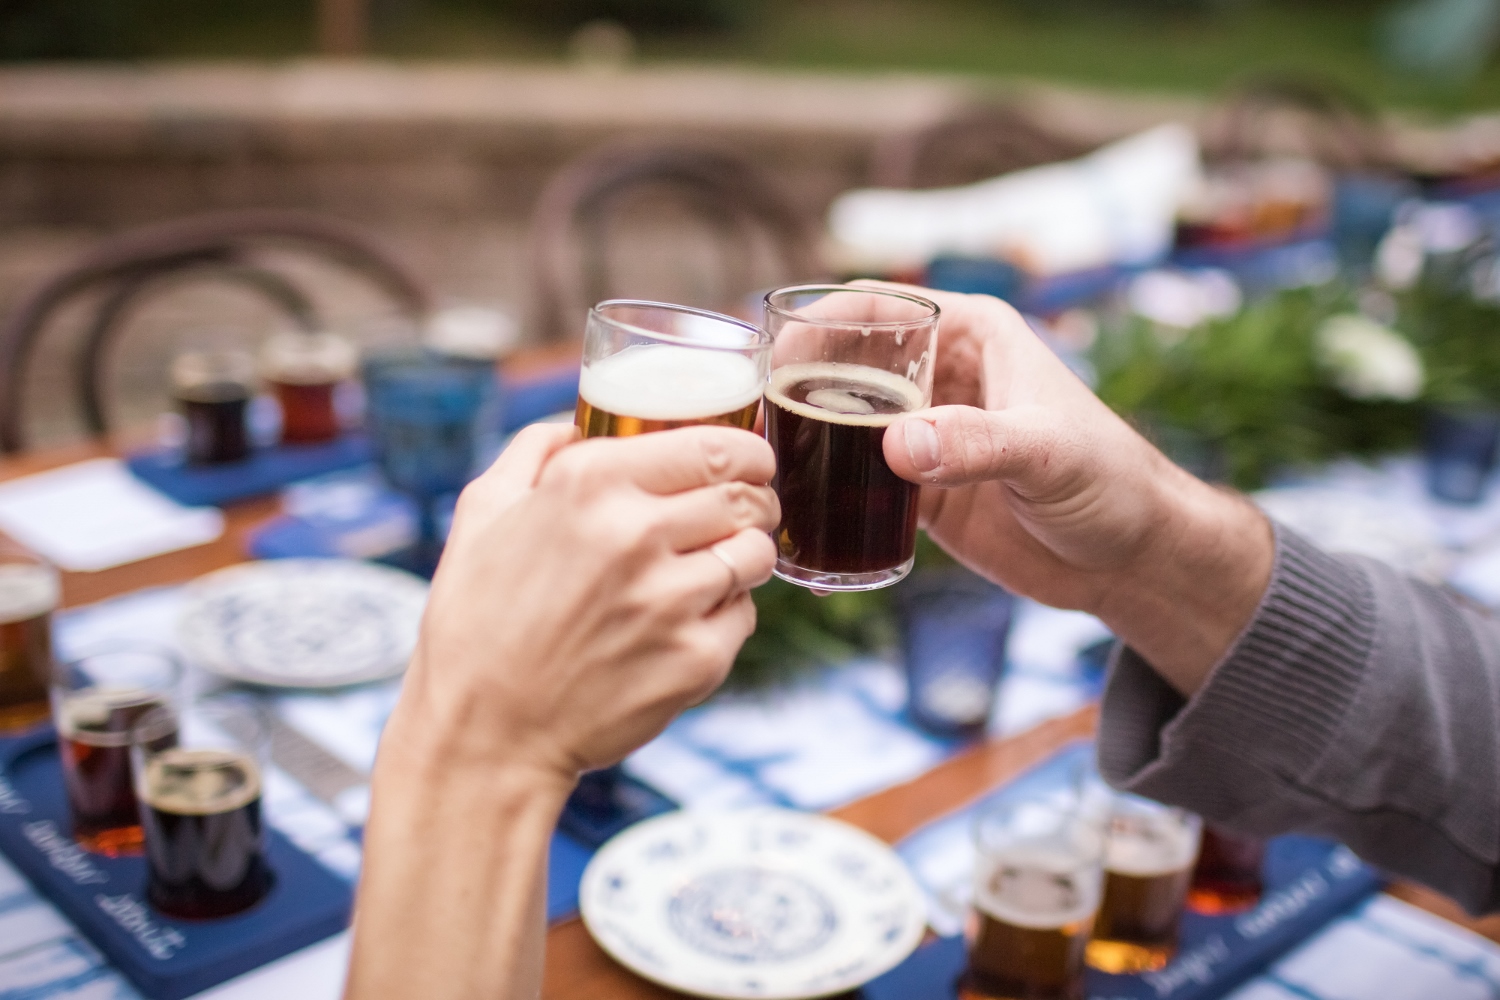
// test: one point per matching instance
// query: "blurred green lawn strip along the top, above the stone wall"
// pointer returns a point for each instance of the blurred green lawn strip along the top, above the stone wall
(1132, 44)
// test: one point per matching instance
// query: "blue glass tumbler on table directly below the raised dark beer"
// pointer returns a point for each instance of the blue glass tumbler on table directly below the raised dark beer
(955, 626)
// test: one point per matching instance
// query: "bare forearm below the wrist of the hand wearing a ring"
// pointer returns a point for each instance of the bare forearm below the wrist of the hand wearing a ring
(452, 900)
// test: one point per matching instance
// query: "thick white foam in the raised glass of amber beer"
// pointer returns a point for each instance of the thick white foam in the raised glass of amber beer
(659, 382)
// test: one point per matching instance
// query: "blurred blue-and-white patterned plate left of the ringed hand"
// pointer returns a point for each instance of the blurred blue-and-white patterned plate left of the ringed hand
(304, 623)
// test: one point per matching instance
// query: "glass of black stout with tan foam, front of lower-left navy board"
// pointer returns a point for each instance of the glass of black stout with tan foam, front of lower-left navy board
(199, 777)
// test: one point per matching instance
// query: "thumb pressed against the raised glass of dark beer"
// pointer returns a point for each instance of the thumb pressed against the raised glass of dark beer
(958, 446)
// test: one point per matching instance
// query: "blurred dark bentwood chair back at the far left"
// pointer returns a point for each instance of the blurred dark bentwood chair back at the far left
(124, 271)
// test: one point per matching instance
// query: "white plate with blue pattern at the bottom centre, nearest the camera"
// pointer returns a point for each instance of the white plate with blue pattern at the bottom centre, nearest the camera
(767, 905)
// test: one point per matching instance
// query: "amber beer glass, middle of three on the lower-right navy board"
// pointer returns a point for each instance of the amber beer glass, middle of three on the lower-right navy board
(1148, 864)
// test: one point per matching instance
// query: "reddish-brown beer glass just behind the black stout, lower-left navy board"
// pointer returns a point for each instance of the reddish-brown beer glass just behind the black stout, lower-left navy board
(97, 701)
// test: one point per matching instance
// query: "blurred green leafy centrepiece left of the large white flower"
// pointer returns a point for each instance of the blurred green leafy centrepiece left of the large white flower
(1250, 388)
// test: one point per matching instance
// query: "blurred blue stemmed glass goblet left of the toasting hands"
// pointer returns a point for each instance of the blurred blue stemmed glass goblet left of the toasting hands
(424, 413)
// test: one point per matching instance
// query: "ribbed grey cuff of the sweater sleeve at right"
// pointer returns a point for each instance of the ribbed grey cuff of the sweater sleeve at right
(1274, 701)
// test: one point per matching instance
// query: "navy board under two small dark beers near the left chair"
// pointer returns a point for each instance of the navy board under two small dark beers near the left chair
(266, 472)
